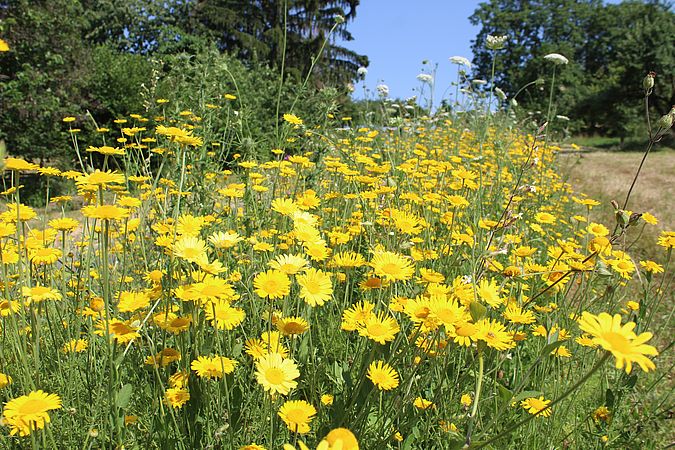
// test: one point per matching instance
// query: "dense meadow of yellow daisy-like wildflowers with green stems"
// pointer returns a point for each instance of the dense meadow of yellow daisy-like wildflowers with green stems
(428, 282)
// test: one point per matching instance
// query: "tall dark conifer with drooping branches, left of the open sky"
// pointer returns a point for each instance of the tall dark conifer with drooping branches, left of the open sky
(255, 31)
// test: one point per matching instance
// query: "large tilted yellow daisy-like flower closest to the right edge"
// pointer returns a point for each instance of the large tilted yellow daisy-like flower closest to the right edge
(620, 340)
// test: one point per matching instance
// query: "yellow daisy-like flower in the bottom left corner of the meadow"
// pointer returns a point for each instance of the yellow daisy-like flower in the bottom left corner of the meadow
(30, 412)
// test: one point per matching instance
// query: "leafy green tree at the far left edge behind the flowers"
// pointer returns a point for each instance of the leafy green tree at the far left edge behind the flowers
(42, 75)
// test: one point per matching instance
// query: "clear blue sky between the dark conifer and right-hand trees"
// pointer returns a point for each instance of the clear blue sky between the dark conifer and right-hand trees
(397, 35)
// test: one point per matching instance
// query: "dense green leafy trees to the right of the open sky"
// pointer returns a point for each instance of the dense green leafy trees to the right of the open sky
(610, 47)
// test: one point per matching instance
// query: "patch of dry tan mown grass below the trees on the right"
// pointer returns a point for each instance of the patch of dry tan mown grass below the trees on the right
(607, 176)
